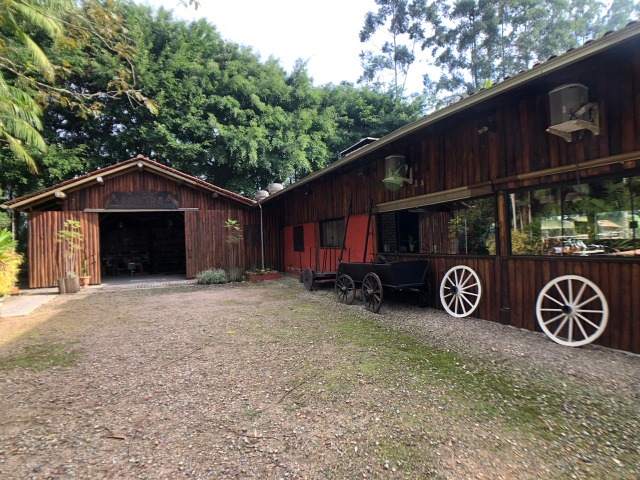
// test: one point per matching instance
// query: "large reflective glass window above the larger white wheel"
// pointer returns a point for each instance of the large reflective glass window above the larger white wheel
(586, 219)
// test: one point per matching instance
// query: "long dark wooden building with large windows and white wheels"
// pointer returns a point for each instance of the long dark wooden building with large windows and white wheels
(524, 198)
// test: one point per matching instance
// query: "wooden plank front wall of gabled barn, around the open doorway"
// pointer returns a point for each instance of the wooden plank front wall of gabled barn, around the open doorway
(205, 235)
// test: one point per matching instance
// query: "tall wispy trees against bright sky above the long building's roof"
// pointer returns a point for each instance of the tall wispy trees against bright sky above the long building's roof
(473, 43)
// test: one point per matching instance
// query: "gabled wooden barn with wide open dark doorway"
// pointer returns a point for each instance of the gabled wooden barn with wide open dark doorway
(137, 216)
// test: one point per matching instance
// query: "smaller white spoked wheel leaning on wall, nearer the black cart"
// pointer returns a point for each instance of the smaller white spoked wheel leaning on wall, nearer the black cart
(460, 291)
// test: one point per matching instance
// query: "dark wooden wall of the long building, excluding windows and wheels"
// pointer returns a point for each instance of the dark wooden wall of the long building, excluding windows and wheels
(514, 152)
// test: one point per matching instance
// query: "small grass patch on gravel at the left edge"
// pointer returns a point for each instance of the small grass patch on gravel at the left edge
(41, 357)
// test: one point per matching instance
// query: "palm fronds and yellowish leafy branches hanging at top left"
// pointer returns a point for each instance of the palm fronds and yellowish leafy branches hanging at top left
(28, 76)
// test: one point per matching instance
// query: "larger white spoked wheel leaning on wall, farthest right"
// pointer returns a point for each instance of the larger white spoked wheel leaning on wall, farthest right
(572, 310)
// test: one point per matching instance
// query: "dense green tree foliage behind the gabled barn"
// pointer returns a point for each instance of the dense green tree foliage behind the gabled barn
(223, 114)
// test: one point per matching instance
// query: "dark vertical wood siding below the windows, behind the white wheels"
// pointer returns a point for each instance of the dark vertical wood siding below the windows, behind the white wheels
(524, 279)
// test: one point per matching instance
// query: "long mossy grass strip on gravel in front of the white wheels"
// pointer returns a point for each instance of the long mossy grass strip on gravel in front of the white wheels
(522, 403)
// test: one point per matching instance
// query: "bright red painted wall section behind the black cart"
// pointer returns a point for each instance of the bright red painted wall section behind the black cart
(326, 259)
